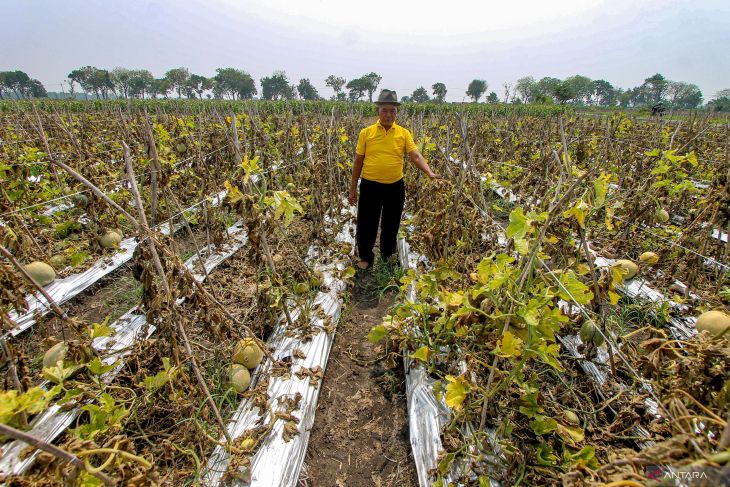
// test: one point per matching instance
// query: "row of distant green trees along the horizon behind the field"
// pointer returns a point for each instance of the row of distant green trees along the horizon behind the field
(235, 84)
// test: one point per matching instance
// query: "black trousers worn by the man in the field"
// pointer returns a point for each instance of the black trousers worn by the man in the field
(378, 199)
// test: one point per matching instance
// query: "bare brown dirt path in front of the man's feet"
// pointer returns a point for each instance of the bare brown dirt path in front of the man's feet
(360, 434)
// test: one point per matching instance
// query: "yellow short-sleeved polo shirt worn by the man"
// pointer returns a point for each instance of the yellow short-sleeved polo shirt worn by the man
(384, 151)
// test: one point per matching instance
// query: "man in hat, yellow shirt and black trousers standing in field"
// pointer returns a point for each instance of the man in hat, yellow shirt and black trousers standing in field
(379, 160)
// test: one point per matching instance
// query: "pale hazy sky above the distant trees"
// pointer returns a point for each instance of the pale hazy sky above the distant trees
(410, 43)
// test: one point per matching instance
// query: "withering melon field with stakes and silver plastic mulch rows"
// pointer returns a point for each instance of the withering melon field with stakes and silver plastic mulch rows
(179, 304)
